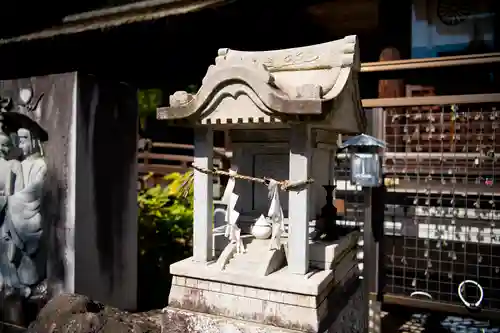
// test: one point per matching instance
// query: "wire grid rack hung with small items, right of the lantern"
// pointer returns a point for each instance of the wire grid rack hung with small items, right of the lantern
(442, 217)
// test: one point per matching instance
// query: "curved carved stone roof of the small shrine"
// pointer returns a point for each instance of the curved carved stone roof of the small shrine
(317, 83)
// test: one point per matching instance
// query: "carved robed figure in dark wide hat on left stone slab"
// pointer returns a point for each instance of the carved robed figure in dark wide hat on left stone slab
(21, 265)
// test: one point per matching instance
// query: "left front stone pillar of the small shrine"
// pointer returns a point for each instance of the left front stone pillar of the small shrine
(203, 195)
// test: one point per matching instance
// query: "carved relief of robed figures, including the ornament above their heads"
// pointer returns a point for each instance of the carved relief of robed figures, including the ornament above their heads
(22, 175)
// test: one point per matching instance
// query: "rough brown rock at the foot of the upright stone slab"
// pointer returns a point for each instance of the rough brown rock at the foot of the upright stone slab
(70, 313)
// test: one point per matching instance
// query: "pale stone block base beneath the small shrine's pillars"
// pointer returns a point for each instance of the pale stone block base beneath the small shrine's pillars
(310, 303)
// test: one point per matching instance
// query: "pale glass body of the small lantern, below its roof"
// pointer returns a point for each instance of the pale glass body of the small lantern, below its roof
(365, 170)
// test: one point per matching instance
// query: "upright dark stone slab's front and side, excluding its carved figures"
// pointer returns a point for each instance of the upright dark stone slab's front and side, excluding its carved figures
(90, 200)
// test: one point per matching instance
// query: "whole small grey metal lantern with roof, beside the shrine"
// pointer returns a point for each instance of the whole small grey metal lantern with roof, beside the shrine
(366, 166)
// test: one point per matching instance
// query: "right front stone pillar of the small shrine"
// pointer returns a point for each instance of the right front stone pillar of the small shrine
(298, 204)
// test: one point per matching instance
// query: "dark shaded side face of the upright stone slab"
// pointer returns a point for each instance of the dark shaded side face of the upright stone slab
(103, 191)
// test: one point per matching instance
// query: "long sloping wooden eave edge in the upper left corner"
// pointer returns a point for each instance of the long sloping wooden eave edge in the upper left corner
(149, 10)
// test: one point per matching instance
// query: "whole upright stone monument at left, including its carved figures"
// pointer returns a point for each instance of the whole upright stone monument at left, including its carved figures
(88, 120)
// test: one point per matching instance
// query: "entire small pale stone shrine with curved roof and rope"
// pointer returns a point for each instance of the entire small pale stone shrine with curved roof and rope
(284, 111)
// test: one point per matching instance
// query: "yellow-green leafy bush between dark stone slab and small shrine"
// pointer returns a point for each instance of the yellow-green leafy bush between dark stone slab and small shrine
(165, 235)
